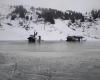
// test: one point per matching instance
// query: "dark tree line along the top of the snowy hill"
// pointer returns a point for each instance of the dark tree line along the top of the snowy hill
(49, 15)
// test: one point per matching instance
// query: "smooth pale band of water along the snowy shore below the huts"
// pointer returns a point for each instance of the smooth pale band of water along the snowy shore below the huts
(51, 49)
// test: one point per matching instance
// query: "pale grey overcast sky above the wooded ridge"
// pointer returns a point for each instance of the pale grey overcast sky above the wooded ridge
(77, 5)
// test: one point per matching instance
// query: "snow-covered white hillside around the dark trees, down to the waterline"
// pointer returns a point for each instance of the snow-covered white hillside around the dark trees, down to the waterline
(20, 29)
